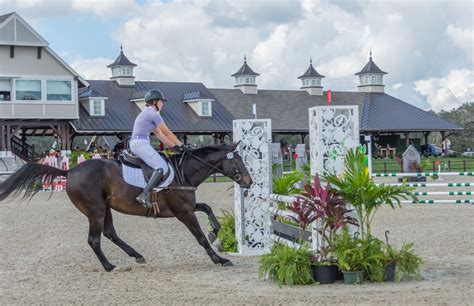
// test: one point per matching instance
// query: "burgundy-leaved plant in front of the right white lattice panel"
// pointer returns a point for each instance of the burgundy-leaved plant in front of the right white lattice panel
(327, 207)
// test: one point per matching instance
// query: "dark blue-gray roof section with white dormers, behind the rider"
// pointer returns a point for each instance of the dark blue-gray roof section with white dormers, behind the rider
(120, 112)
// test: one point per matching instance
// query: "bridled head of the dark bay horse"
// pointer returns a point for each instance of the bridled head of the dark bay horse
(233, 167)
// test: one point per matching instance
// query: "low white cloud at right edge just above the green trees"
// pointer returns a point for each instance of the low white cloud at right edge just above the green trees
(448, 92)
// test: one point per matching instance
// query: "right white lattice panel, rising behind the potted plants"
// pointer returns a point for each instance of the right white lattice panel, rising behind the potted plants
(333, 130)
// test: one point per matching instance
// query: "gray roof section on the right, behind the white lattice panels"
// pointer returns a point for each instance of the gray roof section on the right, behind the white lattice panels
(288, 110)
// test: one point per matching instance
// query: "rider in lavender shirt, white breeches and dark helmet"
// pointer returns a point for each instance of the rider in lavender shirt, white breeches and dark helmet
(147, 121)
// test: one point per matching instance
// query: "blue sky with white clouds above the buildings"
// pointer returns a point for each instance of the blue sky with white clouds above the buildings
(425, 46)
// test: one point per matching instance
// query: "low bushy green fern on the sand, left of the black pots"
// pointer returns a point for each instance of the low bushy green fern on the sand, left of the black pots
(286, 265)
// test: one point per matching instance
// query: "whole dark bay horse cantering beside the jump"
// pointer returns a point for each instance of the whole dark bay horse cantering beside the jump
(96, 186)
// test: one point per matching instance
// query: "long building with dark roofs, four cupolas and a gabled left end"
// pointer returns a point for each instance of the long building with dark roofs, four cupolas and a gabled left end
(41, 95)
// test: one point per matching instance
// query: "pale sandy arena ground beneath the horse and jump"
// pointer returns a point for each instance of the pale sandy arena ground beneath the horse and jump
(45, 259)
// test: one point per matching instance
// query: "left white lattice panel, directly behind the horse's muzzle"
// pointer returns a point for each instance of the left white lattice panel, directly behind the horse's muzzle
(251, 212)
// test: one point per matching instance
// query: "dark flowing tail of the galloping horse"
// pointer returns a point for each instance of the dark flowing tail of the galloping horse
(29, 178)
